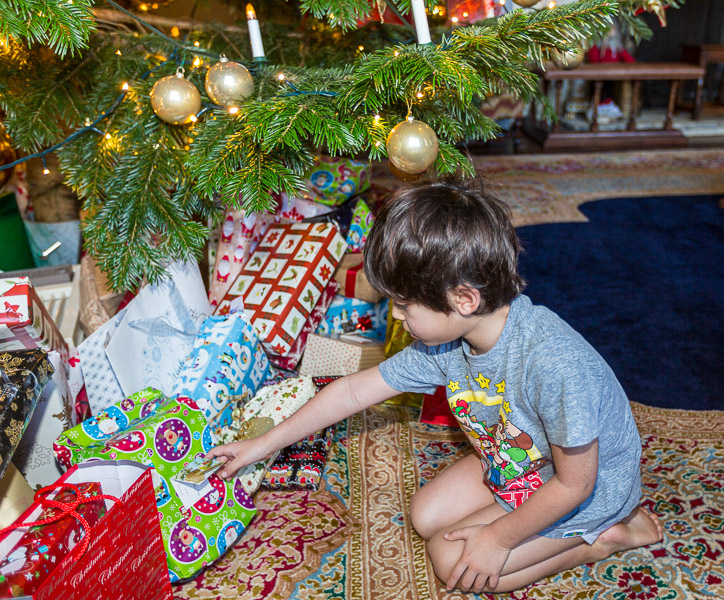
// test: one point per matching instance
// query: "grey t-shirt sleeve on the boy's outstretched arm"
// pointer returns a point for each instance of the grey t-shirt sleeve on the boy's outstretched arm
(416, 368)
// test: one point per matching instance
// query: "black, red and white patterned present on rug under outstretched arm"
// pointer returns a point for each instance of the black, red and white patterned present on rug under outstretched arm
(300, 466)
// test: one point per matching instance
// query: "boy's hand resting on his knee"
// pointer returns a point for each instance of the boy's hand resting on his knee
(481, 561)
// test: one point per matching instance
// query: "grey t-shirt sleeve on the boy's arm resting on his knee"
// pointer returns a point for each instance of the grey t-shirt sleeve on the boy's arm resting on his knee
(564, 385)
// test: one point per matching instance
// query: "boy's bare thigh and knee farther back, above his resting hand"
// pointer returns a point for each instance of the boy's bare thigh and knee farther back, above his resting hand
(457, 492)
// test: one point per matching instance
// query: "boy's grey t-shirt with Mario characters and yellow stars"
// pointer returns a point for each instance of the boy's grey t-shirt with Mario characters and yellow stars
(541, 384)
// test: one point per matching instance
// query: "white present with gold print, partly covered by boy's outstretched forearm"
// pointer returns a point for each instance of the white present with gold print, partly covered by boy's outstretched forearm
(269, 407)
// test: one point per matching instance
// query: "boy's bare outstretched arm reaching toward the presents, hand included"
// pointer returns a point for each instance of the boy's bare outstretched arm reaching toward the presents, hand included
(337, 401)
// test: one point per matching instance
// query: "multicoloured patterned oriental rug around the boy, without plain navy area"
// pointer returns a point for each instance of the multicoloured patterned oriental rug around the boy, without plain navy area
(352, 540)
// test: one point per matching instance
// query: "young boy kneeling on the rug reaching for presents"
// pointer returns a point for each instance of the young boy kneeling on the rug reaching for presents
(549, 422)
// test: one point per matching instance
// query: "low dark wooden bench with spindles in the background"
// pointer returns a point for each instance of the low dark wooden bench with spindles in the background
(554, 139)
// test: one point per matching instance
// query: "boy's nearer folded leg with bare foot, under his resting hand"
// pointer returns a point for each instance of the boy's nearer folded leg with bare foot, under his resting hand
(539, 556)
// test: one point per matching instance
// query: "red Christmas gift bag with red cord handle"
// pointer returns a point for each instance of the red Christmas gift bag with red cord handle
(120, 553)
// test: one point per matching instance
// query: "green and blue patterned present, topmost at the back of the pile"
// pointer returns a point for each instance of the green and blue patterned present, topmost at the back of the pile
(333, 181)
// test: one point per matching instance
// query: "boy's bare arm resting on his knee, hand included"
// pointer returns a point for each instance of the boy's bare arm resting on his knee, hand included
(573, 482)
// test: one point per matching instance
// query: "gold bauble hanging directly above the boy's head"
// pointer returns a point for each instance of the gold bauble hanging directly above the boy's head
(412, 147)
